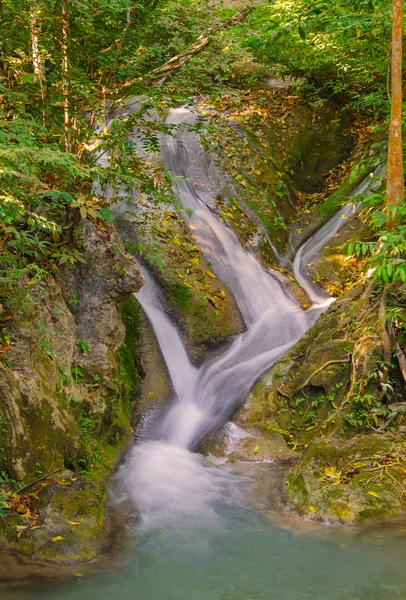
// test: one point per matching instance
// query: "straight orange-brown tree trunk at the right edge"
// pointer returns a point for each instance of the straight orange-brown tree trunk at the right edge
(395, 178)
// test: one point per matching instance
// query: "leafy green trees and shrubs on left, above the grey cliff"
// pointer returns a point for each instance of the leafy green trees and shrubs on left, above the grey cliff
(56, 144)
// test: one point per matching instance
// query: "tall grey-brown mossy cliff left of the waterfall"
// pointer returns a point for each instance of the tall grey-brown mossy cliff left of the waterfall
(65, 390)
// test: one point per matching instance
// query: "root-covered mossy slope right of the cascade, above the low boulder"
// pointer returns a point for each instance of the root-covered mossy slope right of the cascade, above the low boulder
(305, 390)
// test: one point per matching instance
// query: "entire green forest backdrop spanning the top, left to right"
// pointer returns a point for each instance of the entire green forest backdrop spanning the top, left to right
(64, 65)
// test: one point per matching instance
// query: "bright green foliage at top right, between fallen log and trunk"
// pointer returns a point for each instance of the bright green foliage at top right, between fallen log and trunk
(340, 48)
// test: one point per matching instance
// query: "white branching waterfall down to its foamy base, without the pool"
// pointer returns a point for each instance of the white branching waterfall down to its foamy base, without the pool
(162, 476)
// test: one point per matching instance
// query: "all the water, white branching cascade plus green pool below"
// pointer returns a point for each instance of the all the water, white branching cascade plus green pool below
(198, 538)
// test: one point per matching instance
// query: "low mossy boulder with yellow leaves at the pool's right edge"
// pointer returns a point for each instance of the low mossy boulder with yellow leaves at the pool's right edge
(320, 486)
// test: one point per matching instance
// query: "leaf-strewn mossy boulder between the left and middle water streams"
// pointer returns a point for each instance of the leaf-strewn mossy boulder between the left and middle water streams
(197, 300)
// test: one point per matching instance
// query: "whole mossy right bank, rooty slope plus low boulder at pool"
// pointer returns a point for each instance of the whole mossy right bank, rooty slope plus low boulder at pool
(326, 400)
